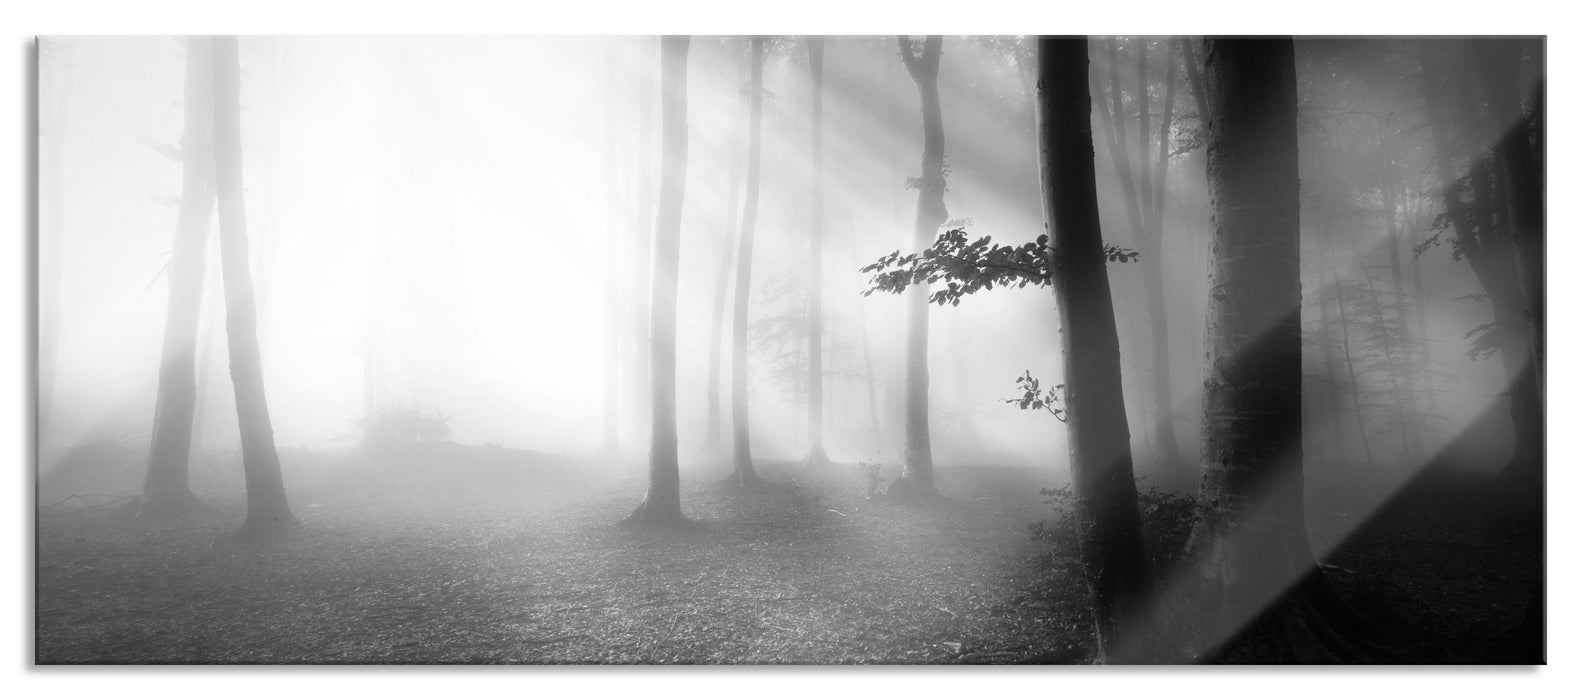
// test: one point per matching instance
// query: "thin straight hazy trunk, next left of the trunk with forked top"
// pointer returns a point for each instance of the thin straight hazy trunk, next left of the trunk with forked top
(816, 262)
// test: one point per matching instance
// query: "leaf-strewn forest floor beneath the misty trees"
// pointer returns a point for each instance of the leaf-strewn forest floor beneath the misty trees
(472, 555)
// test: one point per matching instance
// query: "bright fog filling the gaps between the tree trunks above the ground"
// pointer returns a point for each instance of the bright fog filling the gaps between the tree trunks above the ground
(448, 211)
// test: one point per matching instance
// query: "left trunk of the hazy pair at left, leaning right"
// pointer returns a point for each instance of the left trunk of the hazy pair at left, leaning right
(167, 490)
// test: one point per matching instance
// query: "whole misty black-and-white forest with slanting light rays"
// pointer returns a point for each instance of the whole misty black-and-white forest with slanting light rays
(790, 351)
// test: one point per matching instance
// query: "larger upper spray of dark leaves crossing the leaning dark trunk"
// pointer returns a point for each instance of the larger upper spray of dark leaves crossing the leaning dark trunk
(967, 267)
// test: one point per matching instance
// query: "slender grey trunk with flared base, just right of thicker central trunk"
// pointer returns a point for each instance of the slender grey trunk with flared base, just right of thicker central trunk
(743, 473)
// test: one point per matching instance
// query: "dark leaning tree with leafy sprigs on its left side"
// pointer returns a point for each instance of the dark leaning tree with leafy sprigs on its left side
(1073, 264)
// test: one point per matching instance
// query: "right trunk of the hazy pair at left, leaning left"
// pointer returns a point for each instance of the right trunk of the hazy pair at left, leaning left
(268, 514)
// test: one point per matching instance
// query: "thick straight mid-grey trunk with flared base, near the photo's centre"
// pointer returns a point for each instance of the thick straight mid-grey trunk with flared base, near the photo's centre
(664, 504)
